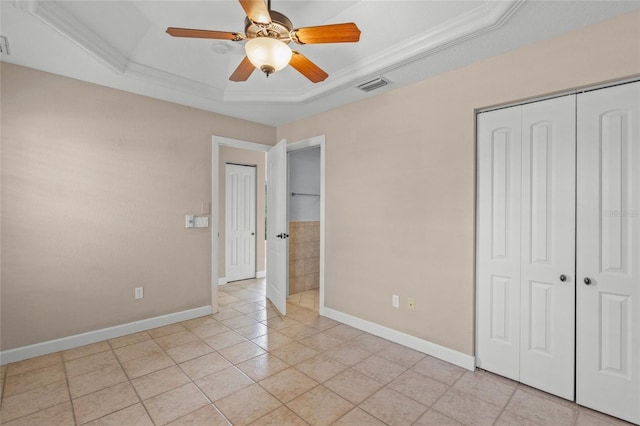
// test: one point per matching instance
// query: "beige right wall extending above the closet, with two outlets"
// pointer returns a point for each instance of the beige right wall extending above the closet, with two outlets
(400, 178)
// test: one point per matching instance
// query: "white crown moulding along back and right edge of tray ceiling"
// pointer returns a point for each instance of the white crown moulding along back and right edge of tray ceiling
(476, 22)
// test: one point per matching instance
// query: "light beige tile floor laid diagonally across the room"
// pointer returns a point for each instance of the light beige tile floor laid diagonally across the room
(248, 365)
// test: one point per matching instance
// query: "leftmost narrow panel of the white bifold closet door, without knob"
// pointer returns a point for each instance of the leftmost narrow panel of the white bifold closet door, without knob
(498, 244)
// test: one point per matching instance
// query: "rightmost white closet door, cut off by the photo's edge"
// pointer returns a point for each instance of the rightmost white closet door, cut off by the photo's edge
(608, 251)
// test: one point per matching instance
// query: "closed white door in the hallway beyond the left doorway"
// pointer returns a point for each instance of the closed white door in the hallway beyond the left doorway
(240, 222)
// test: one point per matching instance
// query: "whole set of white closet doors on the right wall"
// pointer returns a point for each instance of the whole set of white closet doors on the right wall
(558, 247)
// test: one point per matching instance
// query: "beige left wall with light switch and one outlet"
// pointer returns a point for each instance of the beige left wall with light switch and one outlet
(95, 186)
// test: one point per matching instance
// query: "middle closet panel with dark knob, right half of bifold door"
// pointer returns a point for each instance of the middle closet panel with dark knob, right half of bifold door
(548, 246)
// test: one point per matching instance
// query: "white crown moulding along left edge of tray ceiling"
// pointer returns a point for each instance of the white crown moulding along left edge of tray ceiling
(75, 31)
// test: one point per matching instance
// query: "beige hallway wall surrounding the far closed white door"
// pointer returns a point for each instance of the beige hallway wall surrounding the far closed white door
(247, 158)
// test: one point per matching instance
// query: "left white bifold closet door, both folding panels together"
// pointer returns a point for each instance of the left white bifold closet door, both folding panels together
(526, 244)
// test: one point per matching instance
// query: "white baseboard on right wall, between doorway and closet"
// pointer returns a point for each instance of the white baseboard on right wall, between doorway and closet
(454, 357)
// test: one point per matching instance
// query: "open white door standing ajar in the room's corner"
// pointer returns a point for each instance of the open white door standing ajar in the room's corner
(277, 232)
